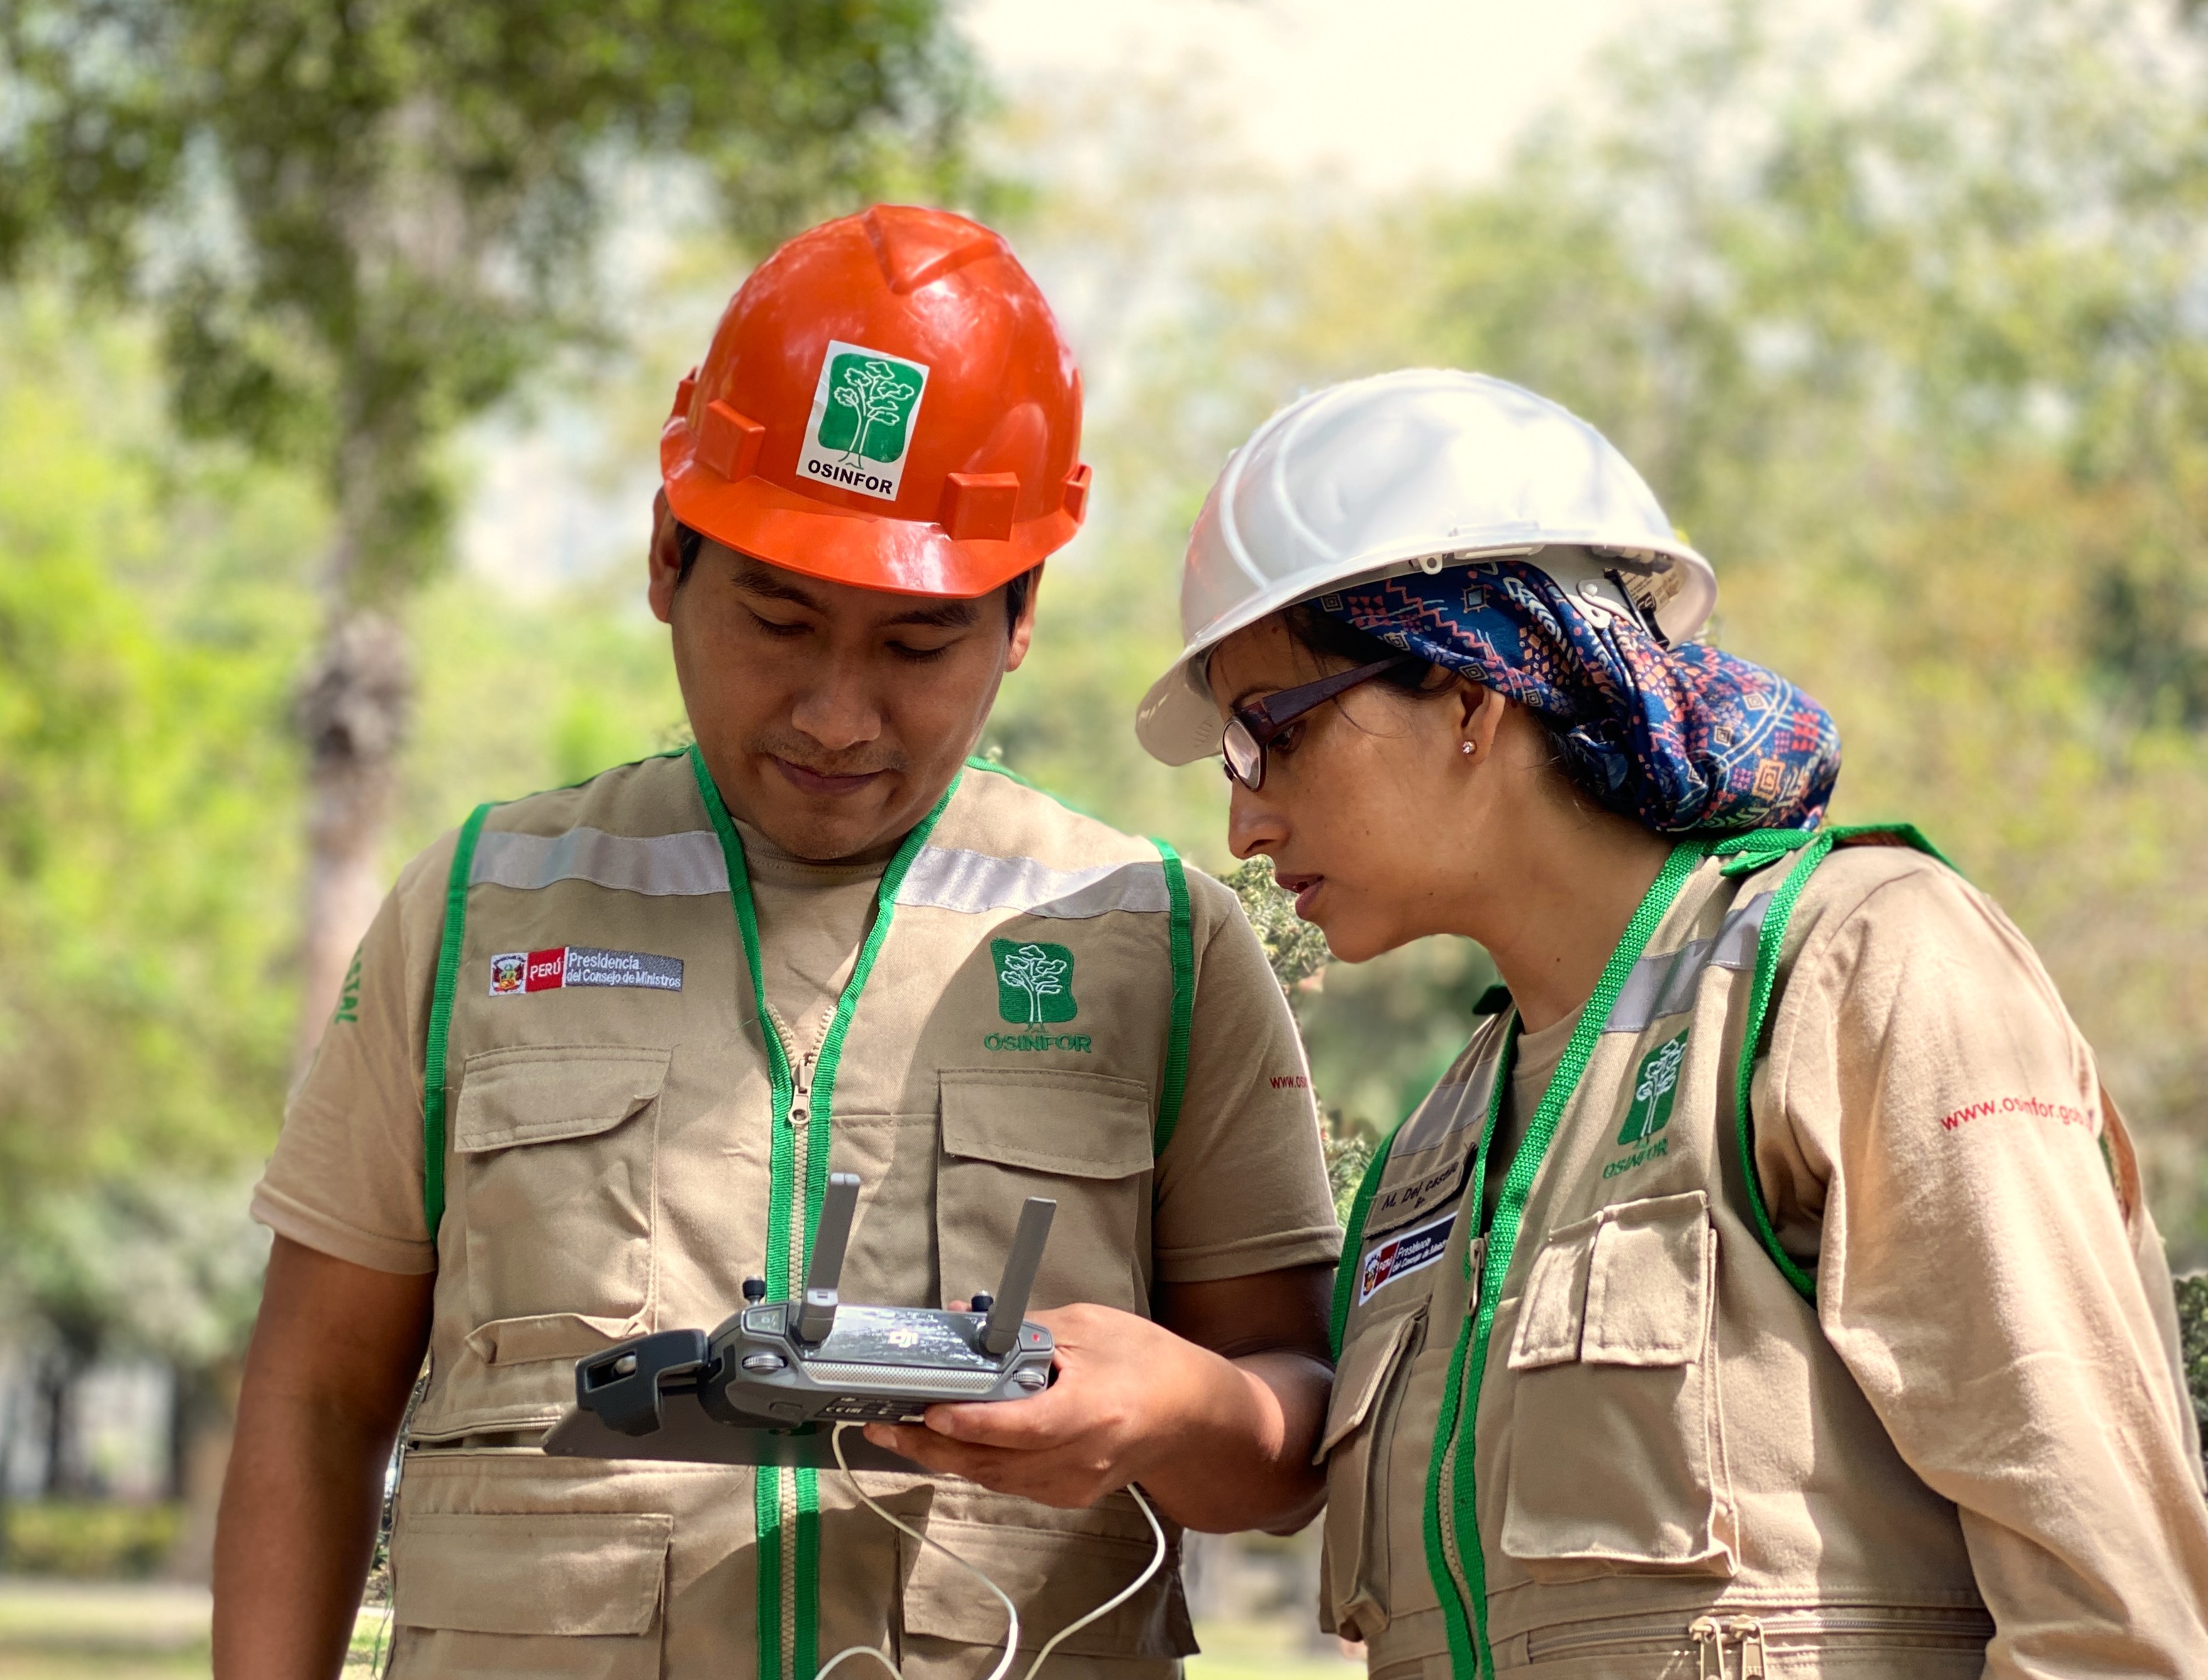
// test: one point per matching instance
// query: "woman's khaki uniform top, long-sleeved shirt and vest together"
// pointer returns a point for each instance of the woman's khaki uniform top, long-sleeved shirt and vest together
(1971, 1454)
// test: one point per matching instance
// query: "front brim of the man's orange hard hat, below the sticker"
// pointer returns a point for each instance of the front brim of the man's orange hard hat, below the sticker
(847, 544)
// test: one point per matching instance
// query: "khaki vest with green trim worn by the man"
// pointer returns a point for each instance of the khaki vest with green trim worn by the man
(617, 1138)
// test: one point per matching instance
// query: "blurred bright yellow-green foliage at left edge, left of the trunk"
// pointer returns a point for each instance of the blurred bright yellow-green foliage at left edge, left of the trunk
(151, 617)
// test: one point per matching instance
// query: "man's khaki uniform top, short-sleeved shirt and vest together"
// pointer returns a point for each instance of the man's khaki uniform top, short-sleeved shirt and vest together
(608, 1176)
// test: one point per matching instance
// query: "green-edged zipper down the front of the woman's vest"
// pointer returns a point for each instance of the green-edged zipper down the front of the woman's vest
(1454, 1553)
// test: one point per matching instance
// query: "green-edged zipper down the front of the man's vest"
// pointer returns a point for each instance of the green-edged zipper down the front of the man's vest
(787, 1502)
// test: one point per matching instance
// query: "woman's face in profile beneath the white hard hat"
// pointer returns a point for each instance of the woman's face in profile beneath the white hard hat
(1372, 809)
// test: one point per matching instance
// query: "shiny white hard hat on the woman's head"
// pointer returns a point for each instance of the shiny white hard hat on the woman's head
(1414, 469)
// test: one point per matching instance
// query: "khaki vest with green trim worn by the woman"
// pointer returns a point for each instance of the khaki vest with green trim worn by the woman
(1611, 1432)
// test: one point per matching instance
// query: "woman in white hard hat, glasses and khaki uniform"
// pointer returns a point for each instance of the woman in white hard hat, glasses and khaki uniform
(1768, 1288)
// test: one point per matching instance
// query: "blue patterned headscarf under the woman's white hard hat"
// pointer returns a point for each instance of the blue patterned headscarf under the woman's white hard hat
(1684, 738)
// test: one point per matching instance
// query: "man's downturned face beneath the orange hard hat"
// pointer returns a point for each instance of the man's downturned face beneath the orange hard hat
(834, 719)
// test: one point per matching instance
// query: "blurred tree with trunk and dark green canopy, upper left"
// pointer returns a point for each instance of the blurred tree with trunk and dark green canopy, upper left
(361, 224)
